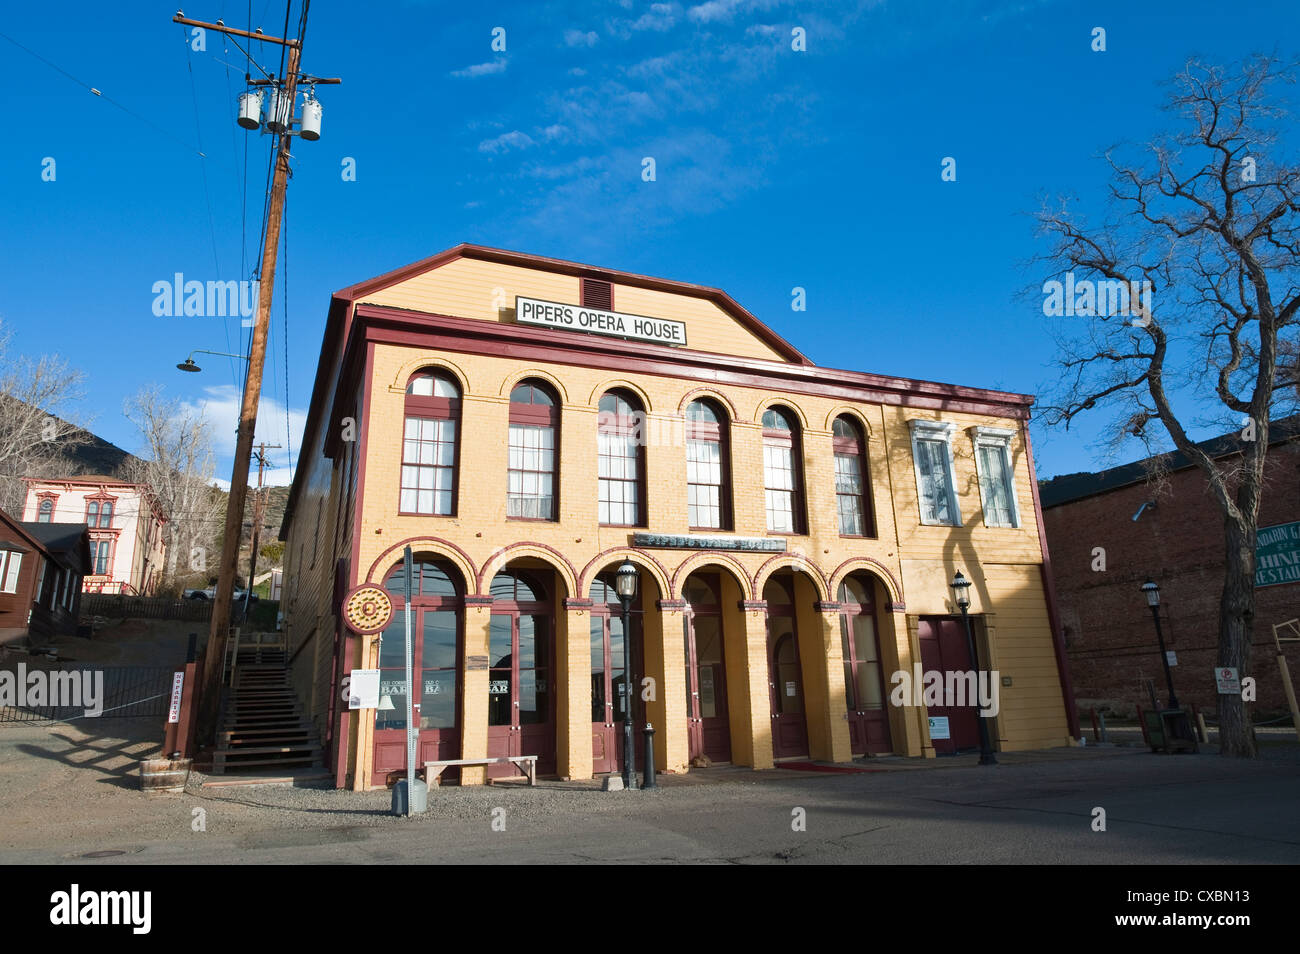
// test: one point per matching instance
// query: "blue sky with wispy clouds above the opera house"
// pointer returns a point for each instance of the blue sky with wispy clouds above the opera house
(775, 170)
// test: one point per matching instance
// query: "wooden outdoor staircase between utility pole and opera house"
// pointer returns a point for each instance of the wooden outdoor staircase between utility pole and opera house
(263, 726)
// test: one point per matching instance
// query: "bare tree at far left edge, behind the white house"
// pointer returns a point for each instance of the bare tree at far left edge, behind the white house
(36, 396)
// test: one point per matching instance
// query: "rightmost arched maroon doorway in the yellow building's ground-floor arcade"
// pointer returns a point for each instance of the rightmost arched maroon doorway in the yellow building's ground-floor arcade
(864, 677)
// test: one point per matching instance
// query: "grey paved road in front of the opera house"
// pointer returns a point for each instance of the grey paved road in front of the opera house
(1189, 810)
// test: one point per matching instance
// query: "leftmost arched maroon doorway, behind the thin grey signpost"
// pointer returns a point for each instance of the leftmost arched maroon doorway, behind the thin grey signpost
(437, 618)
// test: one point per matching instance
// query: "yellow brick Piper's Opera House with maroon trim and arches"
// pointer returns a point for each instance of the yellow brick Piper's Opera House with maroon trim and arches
(527, 426)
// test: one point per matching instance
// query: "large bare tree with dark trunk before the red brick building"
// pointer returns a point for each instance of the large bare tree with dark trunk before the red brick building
(1208, 220)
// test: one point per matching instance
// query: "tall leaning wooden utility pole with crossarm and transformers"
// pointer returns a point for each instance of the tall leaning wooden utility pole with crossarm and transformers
(215, 654)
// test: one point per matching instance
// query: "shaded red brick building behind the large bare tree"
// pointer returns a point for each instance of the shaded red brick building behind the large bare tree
(1177, 540)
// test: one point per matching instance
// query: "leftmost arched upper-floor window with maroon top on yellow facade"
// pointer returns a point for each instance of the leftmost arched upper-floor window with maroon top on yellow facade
(430, 445)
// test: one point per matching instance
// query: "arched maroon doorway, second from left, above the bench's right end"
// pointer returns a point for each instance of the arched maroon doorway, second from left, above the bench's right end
(522, 665)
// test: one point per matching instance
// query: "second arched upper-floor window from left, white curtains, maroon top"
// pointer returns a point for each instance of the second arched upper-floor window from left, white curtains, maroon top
(534, 424)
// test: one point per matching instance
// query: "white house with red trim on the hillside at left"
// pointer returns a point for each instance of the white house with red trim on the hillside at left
(127, 547)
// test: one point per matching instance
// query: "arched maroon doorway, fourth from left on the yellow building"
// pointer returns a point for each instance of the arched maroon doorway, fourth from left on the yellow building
(709, 731)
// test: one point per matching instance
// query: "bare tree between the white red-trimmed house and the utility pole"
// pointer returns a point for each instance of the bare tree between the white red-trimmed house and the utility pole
(177, 463)
